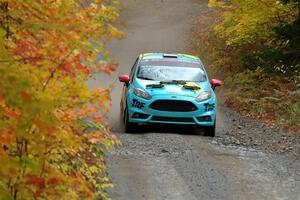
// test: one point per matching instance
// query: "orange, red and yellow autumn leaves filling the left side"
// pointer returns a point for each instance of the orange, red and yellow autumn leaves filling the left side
(53, 130)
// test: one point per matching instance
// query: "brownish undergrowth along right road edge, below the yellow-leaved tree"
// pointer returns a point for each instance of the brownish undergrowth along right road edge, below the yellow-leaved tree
(272, 99)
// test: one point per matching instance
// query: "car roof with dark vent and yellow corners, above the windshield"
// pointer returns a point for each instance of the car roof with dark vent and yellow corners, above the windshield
(179, 57)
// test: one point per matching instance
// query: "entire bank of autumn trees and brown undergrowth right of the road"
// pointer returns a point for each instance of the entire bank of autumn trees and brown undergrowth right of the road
(254, 45)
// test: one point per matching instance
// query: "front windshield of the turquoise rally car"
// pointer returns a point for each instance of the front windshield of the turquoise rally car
(164, 70)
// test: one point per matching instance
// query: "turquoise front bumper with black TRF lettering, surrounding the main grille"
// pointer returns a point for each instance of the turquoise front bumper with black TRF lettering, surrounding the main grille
(139, 111)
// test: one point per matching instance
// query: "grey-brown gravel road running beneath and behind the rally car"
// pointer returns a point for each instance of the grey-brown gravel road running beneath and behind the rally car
(247, 159)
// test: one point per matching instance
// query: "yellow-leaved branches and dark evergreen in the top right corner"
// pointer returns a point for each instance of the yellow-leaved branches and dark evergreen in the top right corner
(264, 33)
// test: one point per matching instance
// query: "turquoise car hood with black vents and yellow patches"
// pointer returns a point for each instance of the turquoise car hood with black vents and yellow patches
(173, 89)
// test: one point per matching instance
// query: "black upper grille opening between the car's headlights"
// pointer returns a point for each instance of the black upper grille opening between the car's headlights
(173, 106)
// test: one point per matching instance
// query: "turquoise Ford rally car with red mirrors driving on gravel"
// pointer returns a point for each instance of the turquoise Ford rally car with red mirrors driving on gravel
(169, 89)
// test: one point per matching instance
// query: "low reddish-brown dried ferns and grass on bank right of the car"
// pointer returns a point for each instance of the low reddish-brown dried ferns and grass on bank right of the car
(273, 100)
